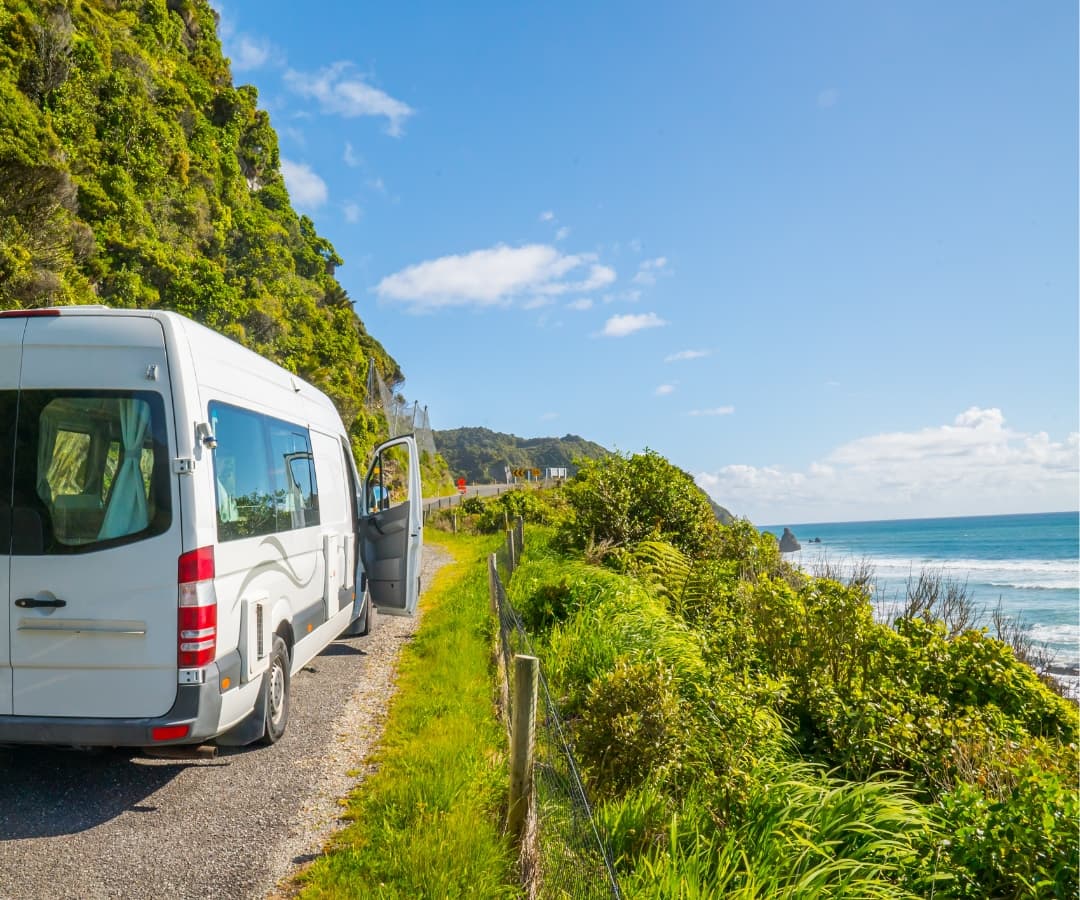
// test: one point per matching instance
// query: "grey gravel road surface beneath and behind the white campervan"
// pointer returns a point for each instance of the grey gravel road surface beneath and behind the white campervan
(106, 825)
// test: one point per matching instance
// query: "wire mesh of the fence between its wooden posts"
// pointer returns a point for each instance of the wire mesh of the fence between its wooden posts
(565, 854)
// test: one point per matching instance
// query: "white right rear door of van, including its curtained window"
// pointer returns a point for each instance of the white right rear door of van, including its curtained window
(93, 571)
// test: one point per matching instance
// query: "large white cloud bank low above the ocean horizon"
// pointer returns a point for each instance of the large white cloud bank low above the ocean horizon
(977, 465)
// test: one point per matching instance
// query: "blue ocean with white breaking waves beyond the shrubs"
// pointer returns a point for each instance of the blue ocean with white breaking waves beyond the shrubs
(1030, 563)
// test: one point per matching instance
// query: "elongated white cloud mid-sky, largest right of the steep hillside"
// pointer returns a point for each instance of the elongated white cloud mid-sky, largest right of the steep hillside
(495, 277)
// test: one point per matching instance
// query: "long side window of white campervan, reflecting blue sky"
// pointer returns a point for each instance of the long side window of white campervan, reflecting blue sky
(265, 480)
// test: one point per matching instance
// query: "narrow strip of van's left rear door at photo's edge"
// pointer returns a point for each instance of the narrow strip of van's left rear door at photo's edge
(11, 355)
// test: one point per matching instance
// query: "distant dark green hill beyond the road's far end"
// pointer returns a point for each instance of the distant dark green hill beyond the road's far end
(481, 455)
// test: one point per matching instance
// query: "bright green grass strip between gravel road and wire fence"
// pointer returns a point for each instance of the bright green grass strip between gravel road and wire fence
(428, 824)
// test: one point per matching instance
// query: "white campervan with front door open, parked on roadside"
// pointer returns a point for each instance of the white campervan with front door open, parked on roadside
(182, 530)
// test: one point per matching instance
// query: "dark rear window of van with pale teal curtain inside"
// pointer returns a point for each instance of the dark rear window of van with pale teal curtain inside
(91, 471)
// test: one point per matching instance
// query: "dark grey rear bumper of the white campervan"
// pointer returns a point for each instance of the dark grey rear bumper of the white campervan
(197, 706)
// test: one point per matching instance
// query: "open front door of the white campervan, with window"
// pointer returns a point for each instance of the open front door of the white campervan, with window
(393, 527)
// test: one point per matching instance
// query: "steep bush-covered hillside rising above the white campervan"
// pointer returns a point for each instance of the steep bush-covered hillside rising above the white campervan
(134, 173)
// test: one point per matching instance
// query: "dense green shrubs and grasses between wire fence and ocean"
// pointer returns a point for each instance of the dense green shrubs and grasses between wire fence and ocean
(752, 731)
